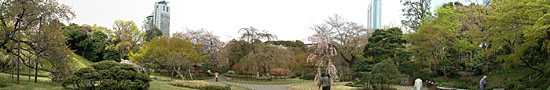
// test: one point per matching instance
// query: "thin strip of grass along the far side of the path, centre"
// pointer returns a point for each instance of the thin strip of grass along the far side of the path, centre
(278, 81)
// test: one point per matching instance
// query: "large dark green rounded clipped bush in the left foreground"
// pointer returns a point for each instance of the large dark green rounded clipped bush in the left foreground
(108, 75)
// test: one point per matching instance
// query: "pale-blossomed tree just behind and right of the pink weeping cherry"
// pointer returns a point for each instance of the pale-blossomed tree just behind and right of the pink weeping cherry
(347, 38)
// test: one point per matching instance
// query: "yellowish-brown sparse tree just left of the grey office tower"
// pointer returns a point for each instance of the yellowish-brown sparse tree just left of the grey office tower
(125, 37)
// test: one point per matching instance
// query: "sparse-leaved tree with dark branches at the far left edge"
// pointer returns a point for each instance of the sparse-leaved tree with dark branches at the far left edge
(28, 23)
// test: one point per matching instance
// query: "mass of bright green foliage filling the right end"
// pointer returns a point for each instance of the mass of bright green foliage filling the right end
(475, 40)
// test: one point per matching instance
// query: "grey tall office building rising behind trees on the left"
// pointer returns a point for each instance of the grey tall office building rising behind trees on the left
(160, 18)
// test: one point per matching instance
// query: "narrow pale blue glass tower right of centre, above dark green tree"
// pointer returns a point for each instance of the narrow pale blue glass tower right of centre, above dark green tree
(374, 14)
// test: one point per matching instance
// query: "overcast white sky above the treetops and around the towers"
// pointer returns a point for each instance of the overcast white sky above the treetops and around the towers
(288, 19)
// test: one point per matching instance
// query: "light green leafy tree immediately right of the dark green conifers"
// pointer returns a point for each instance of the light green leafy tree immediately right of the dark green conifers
(436, 40)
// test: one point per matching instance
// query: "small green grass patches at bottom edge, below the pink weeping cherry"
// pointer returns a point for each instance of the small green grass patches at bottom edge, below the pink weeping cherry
(313, 86)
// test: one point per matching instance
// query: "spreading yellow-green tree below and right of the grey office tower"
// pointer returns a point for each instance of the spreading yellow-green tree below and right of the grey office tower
(174, 54)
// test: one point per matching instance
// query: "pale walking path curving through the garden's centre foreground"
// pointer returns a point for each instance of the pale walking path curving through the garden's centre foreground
(223, 81)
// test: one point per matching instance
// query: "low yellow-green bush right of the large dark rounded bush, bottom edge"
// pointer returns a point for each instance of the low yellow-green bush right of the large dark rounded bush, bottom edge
(196, 84)
